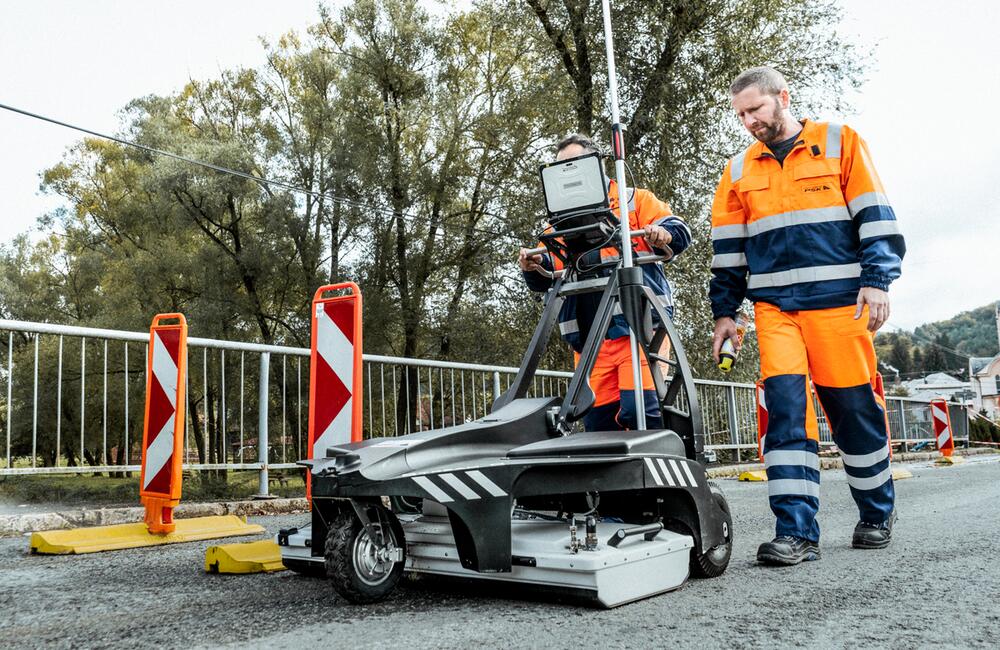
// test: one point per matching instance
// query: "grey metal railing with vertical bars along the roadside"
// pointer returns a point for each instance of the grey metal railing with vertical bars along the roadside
(75, 397)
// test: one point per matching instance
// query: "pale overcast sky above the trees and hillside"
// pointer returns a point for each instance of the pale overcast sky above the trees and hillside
(928, 111)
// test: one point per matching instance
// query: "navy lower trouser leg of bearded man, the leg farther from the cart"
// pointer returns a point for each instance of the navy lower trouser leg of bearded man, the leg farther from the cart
(858, 425)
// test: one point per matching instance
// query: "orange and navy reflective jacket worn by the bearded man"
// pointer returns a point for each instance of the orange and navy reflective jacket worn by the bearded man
(803, 235)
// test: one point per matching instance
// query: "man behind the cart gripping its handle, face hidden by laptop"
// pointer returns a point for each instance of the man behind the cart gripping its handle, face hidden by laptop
(611, 379)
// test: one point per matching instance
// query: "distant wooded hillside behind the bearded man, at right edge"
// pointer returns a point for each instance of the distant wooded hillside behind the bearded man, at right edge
(943, 346)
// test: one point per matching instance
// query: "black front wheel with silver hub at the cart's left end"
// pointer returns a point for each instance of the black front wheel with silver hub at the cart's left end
(357, 569)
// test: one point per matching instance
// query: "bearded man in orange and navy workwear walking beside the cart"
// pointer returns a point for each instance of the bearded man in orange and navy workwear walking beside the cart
(801, 226)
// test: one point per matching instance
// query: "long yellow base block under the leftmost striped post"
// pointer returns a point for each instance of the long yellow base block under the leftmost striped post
(121, 536)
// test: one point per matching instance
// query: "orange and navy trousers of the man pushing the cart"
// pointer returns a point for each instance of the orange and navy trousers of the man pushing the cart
(614, 389)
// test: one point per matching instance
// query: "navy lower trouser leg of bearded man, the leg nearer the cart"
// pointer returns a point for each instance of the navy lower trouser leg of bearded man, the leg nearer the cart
(790, 458)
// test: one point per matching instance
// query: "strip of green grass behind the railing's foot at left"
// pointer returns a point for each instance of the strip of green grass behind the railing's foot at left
(80, 490)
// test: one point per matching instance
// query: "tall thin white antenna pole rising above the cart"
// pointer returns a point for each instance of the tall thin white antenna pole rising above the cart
(618, 148)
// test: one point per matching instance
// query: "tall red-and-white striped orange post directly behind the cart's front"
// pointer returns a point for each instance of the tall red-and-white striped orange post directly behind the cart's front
(335, 378)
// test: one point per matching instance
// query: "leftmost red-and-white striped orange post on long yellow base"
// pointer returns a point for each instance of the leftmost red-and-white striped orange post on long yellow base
(163, 427)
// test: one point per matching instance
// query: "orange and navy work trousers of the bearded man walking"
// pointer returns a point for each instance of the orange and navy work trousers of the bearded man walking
(836, 352)
